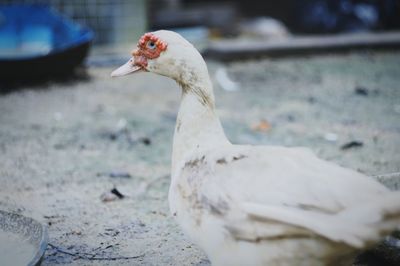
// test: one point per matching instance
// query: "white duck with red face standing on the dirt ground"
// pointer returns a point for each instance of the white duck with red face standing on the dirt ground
(257, 205)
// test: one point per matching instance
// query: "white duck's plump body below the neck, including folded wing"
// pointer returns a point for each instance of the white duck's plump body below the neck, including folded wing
(249, 197)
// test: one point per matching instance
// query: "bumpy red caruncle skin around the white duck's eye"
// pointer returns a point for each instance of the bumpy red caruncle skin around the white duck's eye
(149, 47)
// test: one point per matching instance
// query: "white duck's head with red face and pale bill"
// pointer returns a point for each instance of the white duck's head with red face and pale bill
(165, 53)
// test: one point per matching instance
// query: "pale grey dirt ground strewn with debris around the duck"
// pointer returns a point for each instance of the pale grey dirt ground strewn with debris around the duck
(64, 147)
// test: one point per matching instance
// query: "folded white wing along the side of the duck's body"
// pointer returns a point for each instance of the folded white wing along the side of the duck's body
(269, 192)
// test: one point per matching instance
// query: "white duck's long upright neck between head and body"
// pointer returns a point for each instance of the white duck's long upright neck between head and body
(197, 125)
